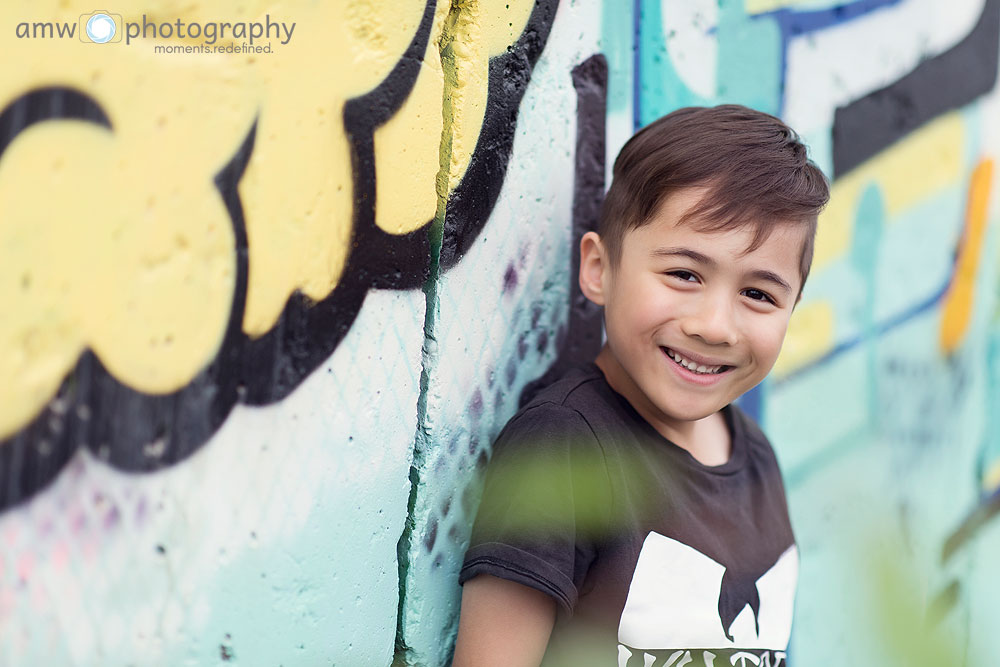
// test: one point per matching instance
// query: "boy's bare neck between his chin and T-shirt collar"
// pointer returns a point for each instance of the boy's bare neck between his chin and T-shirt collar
(707, 440)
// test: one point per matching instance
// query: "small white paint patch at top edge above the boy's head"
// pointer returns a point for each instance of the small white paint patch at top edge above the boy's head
(689, 31)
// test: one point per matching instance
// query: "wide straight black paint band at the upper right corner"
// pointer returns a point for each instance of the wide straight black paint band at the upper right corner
(948, 81)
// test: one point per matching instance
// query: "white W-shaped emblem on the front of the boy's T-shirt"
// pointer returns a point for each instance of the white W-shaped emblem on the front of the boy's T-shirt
(674, 596)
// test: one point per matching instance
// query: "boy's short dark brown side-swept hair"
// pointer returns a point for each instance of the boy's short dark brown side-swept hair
(754, 167)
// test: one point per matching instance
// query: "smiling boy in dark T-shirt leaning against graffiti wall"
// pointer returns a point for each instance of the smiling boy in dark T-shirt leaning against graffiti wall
(630, 508)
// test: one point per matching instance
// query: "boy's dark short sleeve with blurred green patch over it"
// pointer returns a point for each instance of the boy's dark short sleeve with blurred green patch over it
(545, 499)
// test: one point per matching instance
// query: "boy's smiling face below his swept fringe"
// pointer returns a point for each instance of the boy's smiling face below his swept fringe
(681, 298)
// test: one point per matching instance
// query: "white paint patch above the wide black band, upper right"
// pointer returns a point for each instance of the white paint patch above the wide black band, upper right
(832, 67)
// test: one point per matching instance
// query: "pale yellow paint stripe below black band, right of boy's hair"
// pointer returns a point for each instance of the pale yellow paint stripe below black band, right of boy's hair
(924, 163)
